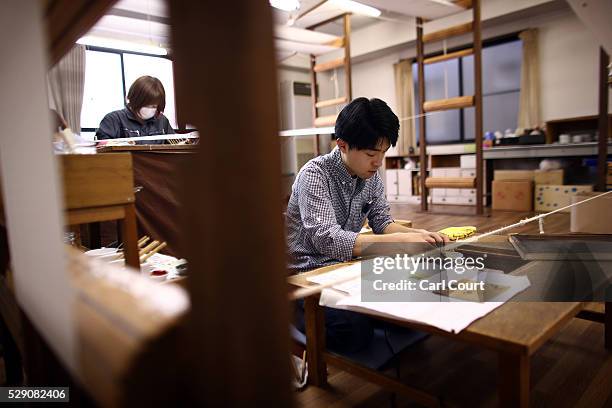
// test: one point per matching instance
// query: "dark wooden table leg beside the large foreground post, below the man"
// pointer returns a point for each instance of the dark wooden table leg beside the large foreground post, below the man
(315, 341)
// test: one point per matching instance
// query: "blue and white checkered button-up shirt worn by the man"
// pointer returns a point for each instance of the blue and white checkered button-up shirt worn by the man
(326, 211)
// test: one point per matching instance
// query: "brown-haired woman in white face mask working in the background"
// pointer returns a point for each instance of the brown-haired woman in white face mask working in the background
(142, 116)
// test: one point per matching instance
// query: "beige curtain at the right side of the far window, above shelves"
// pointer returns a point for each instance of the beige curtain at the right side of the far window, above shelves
(529, 104)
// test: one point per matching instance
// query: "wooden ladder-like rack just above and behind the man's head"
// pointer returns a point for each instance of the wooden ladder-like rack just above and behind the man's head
(344, 61)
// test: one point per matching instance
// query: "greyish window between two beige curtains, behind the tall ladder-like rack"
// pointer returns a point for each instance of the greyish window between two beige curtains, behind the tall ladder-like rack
(501, 76)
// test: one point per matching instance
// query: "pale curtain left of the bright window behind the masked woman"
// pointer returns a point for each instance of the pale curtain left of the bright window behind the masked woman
(66, 82)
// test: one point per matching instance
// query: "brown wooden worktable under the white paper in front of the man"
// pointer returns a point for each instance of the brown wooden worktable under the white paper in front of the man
(515, 331)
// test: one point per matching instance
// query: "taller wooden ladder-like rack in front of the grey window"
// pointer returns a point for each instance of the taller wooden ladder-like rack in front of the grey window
(452, 103)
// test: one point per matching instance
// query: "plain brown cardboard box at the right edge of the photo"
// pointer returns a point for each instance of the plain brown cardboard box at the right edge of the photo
(593, 217)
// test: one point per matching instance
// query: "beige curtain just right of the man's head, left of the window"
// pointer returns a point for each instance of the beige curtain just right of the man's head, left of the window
(404, 96)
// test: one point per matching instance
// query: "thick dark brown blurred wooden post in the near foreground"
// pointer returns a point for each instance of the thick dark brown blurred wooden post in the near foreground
(238, 326)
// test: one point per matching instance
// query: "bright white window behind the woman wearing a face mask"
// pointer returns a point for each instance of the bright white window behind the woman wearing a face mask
(108, 77)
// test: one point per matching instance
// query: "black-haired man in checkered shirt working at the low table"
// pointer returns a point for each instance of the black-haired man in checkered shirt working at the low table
(332, 197)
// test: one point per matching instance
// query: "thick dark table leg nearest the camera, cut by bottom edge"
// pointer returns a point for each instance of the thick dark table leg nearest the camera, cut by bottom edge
(513, 377)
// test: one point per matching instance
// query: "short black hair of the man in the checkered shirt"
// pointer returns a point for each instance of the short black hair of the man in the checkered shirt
(364, 123)
